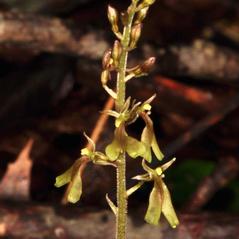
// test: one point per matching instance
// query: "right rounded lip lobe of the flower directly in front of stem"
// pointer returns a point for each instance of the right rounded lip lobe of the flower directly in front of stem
(135, 148)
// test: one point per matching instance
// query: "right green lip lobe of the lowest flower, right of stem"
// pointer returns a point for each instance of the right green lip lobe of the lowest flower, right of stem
(167, 207)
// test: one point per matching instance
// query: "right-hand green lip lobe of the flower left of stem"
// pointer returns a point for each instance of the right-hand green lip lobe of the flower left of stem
(76, 188)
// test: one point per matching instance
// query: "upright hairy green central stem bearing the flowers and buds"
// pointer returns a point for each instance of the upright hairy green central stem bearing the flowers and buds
(121, 219)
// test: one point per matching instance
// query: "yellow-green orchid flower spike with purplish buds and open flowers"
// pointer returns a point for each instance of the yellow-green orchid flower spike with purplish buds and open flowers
(126, 112)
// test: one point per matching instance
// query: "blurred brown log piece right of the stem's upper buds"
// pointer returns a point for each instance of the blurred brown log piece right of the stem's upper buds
(201, 60)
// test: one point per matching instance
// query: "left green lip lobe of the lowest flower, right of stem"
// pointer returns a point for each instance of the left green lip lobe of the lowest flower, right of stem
(155, 207)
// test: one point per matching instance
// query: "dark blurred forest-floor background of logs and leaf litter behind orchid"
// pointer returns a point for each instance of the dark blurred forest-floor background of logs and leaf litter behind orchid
(50, 93)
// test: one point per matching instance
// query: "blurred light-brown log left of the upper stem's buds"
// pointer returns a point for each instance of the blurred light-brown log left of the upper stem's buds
(43, 34)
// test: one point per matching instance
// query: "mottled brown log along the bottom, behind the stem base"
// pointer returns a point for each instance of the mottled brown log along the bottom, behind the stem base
(27, 221)
